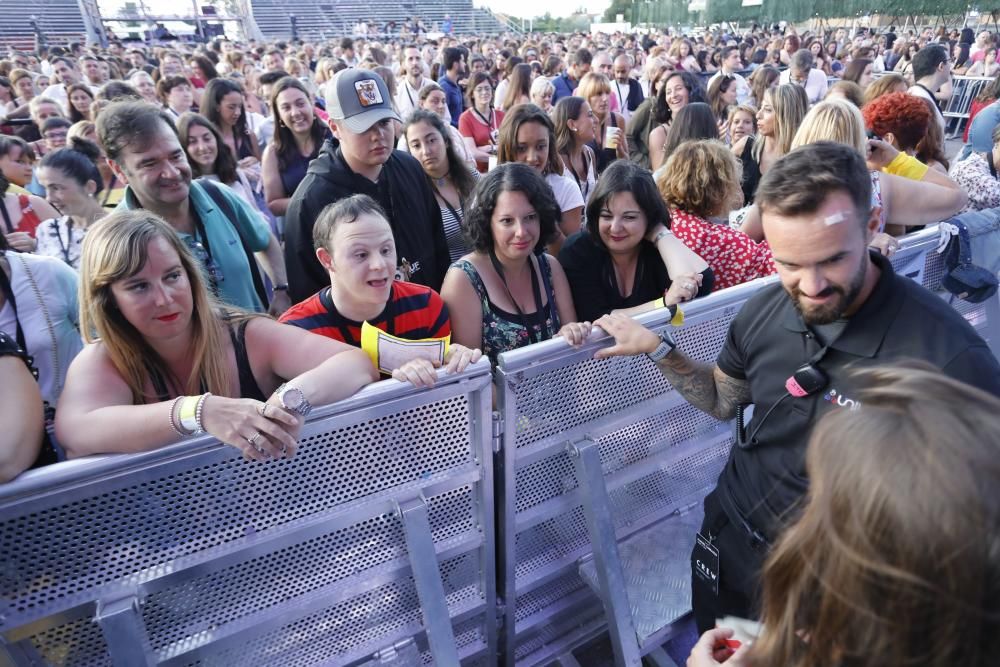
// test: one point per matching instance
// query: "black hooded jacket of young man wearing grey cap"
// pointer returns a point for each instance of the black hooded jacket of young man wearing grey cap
(402, 191)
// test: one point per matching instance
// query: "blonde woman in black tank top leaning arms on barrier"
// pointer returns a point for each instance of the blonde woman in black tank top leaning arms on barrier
(155, 336)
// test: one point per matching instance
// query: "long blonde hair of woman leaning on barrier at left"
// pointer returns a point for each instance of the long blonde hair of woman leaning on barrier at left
(116, 248)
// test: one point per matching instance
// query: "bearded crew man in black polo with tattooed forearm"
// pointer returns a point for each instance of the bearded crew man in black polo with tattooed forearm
(790, 350)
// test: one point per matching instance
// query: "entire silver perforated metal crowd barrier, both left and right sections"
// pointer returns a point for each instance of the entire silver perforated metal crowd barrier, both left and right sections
(378, 537)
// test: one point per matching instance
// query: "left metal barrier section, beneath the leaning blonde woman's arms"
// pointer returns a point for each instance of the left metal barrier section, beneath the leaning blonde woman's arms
(375, 543)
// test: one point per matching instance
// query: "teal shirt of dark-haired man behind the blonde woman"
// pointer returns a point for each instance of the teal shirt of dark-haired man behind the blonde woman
(236, 286)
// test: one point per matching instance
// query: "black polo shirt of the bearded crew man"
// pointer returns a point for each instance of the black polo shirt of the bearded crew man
(768, 341)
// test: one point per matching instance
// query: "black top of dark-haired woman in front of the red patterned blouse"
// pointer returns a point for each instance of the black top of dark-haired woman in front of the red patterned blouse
(592, 277)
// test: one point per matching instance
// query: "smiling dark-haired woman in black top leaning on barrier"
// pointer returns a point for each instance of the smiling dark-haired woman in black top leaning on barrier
(627, 259)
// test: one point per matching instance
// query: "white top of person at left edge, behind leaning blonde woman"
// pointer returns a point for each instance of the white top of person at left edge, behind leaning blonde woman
(45, 291)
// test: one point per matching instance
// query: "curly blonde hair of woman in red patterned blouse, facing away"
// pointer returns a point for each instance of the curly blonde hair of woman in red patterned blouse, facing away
(701, 178)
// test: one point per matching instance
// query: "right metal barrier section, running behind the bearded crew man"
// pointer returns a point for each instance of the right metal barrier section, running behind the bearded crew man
(603, 464)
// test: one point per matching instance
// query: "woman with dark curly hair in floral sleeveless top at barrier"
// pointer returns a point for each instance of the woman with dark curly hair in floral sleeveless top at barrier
(507, 293)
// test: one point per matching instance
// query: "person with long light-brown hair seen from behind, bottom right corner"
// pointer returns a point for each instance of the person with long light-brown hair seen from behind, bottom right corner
(894, 560)
